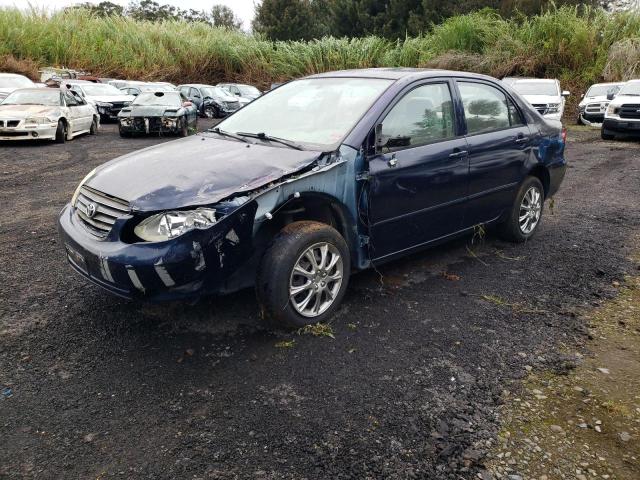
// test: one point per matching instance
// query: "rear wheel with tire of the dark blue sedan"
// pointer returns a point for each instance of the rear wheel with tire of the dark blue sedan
(529, 201)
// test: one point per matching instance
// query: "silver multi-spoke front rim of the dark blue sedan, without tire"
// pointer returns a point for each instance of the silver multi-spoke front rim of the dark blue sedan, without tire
(316, 279)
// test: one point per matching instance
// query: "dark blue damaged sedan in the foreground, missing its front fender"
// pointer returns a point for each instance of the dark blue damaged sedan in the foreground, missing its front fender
(358, 168)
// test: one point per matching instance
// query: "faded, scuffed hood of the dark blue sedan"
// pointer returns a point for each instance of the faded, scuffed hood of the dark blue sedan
(194, 171)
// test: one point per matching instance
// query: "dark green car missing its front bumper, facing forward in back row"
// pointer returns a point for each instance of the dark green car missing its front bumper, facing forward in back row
(158, 113)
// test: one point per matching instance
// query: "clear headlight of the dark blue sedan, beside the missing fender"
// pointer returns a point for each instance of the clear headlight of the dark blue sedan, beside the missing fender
(167, 225)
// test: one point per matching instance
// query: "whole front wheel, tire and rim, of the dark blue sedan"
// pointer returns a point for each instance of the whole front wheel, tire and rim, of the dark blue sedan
(276, 275)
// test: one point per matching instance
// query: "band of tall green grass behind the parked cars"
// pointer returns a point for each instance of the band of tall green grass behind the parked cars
(574, 45)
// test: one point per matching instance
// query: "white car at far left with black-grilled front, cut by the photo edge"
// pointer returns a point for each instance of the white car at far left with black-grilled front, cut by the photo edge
(46, 114)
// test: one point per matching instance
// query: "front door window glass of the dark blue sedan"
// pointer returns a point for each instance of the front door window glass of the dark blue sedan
(422, 116)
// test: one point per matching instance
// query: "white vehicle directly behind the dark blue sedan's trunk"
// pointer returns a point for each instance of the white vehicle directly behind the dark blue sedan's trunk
(544, 94)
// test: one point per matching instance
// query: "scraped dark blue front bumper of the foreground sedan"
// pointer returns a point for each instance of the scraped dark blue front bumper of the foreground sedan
(197, 263)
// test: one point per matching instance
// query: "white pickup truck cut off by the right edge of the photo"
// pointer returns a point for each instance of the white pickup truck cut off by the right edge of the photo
(623, 113)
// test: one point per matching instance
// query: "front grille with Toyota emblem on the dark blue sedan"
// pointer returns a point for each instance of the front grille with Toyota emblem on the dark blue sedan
(107, 210)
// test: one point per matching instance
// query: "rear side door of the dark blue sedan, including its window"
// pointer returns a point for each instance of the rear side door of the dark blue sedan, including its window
(499, 146)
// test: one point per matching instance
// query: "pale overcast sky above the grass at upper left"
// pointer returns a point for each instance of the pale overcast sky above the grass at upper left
(242, 8)
